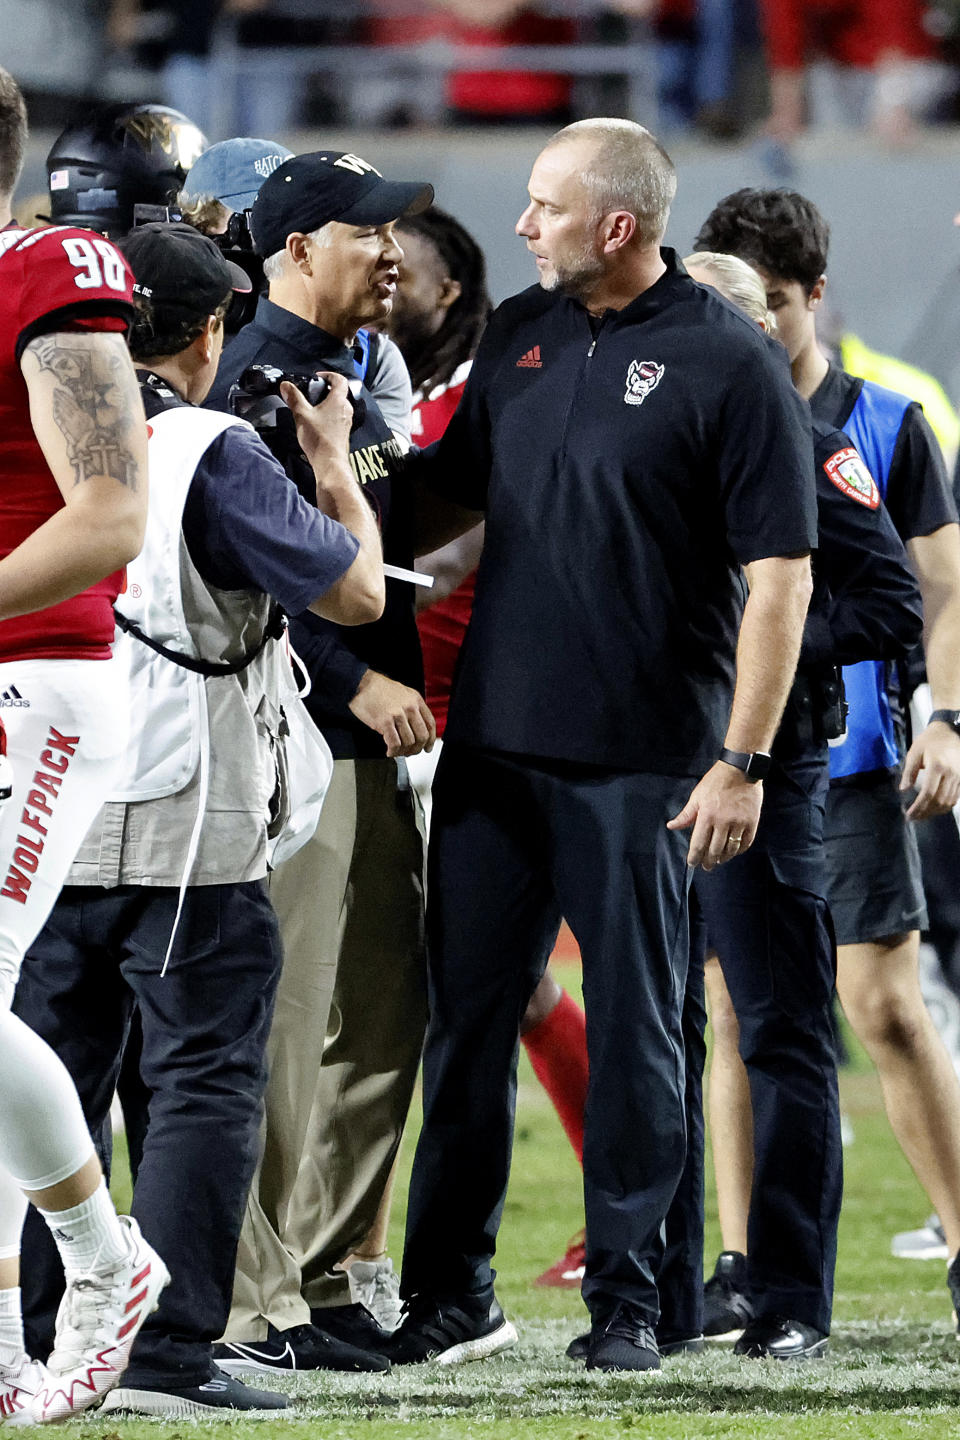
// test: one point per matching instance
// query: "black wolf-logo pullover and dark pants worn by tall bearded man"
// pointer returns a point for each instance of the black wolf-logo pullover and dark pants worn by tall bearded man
(628, 466)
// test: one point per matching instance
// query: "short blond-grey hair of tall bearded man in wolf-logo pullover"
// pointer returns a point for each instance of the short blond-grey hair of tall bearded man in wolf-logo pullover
(630, 172)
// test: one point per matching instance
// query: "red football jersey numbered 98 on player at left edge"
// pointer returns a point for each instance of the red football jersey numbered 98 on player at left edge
(51, 280)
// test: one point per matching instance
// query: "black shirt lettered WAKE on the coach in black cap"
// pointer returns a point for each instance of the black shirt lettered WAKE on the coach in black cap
(338, 657)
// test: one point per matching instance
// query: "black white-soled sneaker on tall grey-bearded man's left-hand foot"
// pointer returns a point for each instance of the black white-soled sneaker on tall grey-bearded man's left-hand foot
(450, 1331)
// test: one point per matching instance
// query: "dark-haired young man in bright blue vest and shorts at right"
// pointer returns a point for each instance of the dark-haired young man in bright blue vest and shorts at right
(876, 891)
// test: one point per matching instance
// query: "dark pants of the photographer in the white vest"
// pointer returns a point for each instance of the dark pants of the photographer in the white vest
(205, 1027)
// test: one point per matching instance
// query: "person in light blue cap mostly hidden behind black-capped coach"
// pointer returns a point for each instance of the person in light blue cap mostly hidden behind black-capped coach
(218, 197)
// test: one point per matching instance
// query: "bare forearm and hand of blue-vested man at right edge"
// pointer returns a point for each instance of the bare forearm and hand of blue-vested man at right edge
(933, 761)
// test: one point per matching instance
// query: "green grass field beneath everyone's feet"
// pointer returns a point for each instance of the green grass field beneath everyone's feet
(893, 1370)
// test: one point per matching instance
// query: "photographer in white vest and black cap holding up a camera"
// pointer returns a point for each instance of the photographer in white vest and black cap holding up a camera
(166, 904)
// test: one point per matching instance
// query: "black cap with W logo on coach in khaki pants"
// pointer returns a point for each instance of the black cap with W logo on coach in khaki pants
(322, 186)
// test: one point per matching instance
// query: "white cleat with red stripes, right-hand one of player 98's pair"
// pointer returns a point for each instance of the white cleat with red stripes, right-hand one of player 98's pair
(97, 1326)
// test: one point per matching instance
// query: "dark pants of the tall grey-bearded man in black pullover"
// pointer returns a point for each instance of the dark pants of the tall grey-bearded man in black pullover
(516, 846)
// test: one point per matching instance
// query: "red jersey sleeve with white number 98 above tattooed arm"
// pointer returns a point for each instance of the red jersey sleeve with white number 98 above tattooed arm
(68, 276)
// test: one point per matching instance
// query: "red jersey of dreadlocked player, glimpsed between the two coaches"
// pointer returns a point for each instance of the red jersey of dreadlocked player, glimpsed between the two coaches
(443, 626)
